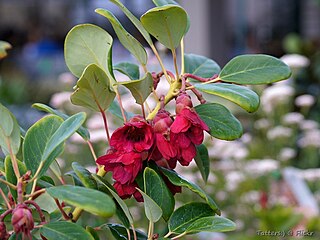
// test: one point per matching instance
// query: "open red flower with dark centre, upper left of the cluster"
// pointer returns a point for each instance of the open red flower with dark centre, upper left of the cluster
(136, 135)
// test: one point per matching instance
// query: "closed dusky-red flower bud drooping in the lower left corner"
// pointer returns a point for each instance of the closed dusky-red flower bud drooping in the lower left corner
(22, 220)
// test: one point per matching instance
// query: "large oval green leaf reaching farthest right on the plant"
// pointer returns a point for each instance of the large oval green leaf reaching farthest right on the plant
(254, 69)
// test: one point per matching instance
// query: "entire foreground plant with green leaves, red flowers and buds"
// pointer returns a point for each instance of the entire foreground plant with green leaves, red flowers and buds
(142, 153)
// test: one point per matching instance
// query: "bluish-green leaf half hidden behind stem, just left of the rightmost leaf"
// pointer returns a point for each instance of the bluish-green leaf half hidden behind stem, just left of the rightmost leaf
(200, 66)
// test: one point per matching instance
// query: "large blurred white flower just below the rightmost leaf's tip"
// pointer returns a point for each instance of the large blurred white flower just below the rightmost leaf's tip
(275, 95)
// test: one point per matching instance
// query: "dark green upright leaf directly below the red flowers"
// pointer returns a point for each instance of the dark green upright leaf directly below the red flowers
(156, 188)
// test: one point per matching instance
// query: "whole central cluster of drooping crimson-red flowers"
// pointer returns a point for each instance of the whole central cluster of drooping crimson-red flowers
(165, 140)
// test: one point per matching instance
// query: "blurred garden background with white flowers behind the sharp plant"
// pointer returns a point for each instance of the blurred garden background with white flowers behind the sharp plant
(269, 179)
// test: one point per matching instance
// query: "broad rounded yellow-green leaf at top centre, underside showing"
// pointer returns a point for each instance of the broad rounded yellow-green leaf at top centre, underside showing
(168, 24)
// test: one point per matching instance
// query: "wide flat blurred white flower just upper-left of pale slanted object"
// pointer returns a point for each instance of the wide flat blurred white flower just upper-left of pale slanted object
(260, 167)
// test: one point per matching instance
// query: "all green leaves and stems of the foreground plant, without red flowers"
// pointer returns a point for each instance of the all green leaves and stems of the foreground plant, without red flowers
(88, 55)
